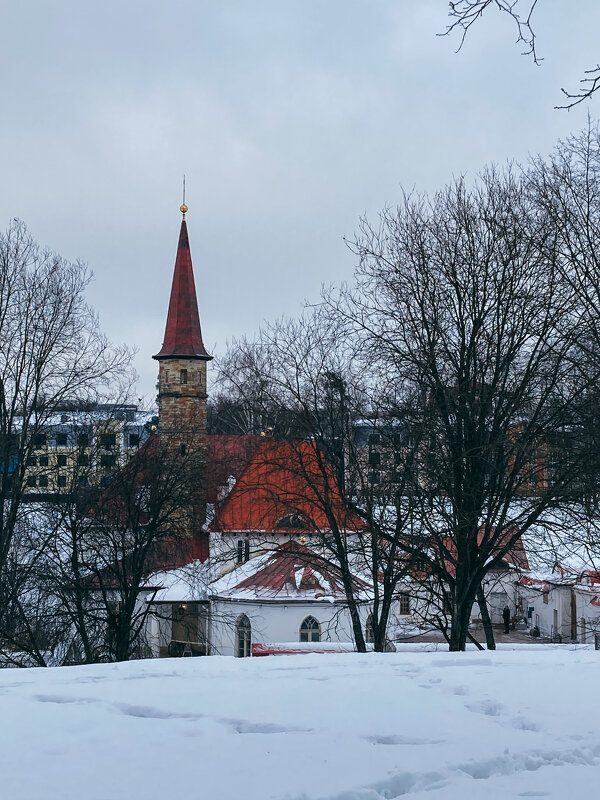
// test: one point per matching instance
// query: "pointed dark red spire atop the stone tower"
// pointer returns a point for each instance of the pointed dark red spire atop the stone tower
(183, 337)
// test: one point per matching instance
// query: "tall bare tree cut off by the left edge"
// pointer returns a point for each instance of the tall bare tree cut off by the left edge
(52, 350)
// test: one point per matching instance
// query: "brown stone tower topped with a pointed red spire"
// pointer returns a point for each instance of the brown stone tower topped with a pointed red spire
(182, 385)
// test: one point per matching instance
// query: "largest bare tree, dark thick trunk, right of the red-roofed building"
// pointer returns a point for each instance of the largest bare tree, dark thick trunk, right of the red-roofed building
(462, 301)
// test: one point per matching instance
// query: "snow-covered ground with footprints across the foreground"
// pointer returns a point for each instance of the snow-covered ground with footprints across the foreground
(510, 724)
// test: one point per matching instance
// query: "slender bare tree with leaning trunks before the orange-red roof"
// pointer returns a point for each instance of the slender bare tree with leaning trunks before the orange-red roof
(313, 390)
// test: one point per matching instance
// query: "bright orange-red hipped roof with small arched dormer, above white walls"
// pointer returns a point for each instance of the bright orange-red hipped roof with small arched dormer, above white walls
(283, 479)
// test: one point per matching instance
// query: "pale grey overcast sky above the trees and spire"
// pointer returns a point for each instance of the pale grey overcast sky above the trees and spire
(290, 119)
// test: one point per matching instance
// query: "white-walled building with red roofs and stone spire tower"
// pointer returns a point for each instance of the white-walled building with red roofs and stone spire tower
(250, 576)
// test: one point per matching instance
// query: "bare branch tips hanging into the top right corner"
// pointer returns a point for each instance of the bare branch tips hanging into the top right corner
(466, 13)
